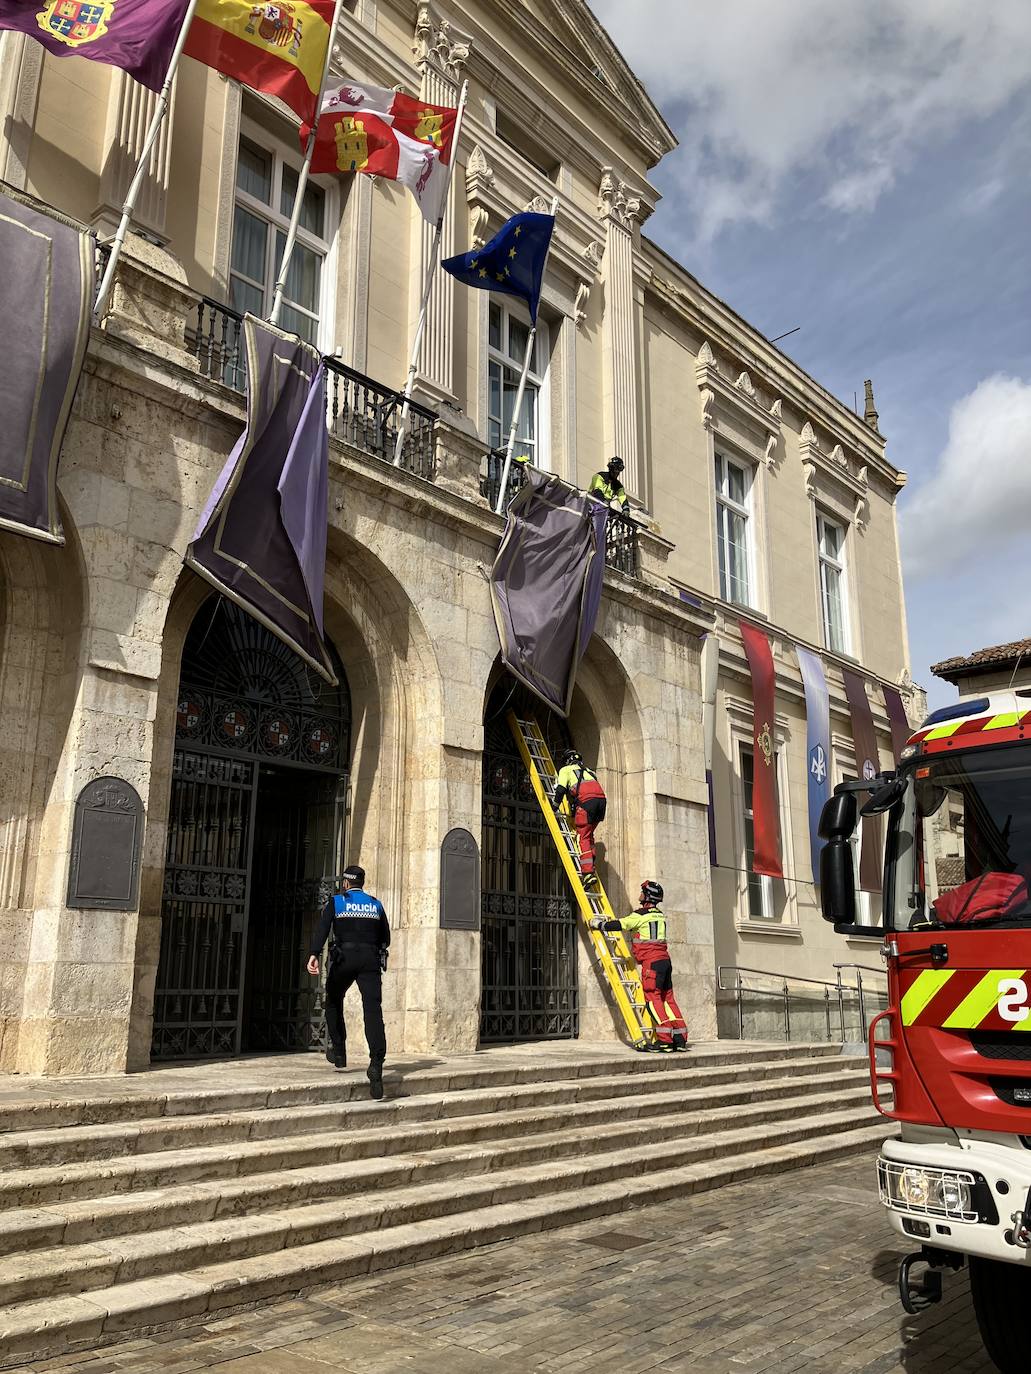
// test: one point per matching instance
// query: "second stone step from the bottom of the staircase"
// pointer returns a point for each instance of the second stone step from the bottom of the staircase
(75, 1269)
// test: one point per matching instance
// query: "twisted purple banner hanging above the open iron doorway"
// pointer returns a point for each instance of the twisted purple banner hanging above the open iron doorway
(262, 538)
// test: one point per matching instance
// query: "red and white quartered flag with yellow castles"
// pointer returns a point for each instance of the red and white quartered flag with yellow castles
(387, 134)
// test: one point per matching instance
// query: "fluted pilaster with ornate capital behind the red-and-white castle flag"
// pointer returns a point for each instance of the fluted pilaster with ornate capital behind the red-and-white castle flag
(441, 56)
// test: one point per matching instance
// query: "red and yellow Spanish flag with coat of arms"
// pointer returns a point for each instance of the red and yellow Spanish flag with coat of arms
(273, 47)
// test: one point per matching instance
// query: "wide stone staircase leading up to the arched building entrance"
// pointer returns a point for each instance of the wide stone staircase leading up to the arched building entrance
(127, 1211)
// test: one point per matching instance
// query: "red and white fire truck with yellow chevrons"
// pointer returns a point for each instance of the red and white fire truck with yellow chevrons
(951, 1057)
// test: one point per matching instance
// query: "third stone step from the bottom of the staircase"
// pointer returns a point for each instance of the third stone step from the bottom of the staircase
(185, 1203)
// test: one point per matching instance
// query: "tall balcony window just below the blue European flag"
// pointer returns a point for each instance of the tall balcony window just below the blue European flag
(507, 348)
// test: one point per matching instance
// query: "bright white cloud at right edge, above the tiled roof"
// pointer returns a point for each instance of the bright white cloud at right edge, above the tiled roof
(978, 499)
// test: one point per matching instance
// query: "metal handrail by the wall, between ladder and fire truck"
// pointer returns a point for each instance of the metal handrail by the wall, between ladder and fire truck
(841, 1011)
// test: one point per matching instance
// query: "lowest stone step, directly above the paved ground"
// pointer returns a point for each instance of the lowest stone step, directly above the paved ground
(46, 1328)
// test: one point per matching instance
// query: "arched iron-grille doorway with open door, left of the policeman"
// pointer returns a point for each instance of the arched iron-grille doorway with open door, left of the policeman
(255, 842)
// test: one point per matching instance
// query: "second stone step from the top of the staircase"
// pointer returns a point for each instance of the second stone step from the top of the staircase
(36, 1149)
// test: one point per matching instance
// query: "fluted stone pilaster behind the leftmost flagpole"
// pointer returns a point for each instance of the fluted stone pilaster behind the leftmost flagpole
(130, 112)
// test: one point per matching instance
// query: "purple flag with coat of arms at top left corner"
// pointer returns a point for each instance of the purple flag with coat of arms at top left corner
(138, 36)
